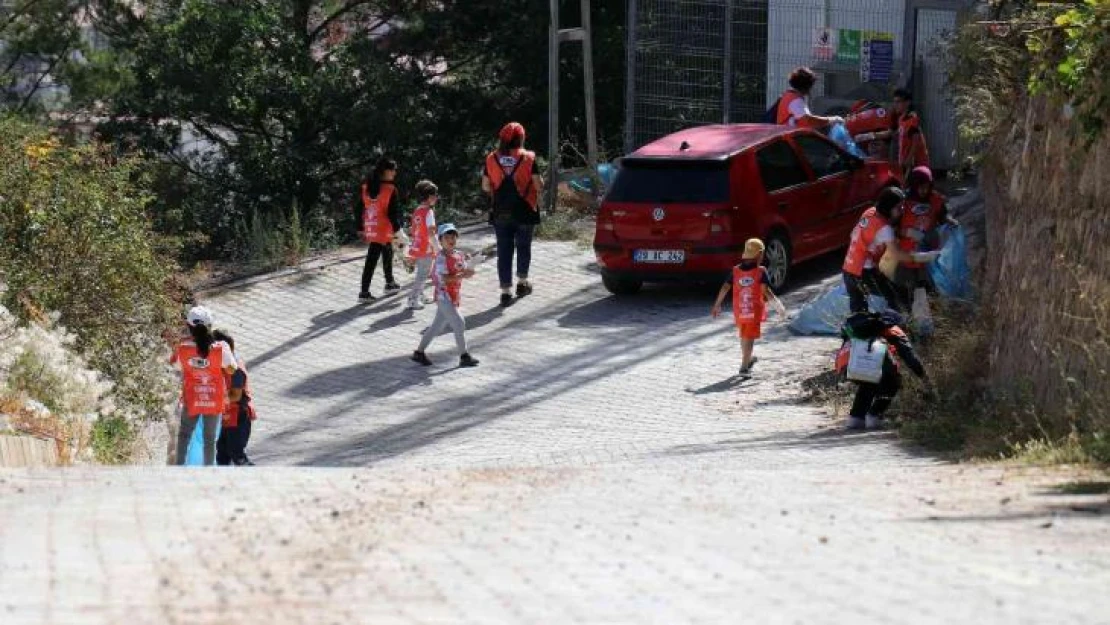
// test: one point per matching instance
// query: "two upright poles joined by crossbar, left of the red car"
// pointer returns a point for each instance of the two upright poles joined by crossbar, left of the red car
(558, 36)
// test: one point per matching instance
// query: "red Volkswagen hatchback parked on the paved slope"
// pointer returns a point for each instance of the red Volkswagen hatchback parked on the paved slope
(681, 208)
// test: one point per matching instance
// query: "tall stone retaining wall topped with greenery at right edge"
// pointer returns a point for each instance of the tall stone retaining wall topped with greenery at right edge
(1032, 92)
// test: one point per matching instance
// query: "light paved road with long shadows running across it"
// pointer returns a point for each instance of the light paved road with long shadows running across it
(602, 466)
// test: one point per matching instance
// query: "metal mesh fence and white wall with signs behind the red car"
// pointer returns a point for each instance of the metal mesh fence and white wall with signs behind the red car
(712, 62)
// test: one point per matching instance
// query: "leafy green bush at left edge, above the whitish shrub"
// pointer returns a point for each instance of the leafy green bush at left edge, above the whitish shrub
(75, 239)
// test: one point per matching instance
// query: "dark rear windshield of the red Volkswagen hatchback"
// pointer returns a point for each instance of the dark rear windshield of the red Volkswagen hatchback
(664, 183)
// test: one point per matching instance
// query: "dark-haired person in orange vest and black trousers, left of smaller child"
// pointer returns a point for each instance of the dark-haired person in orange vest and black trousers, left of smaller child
(378, 217)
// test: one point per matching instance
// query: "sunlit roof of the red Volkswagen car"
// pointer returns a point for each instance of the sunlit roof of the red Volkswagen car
(711, 143)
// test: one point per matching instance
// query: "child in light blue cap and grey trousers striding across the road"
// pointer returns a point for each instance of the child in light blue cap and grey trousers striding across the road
(448, 276)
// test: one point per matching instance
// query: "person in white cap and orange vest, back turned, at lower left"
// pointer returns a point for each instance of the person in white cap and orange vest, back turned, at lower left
(205, 365)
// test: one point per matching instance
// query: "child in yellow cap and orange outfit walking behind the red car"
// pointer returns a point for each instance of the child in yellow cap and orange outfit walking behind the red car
(751, 287)
